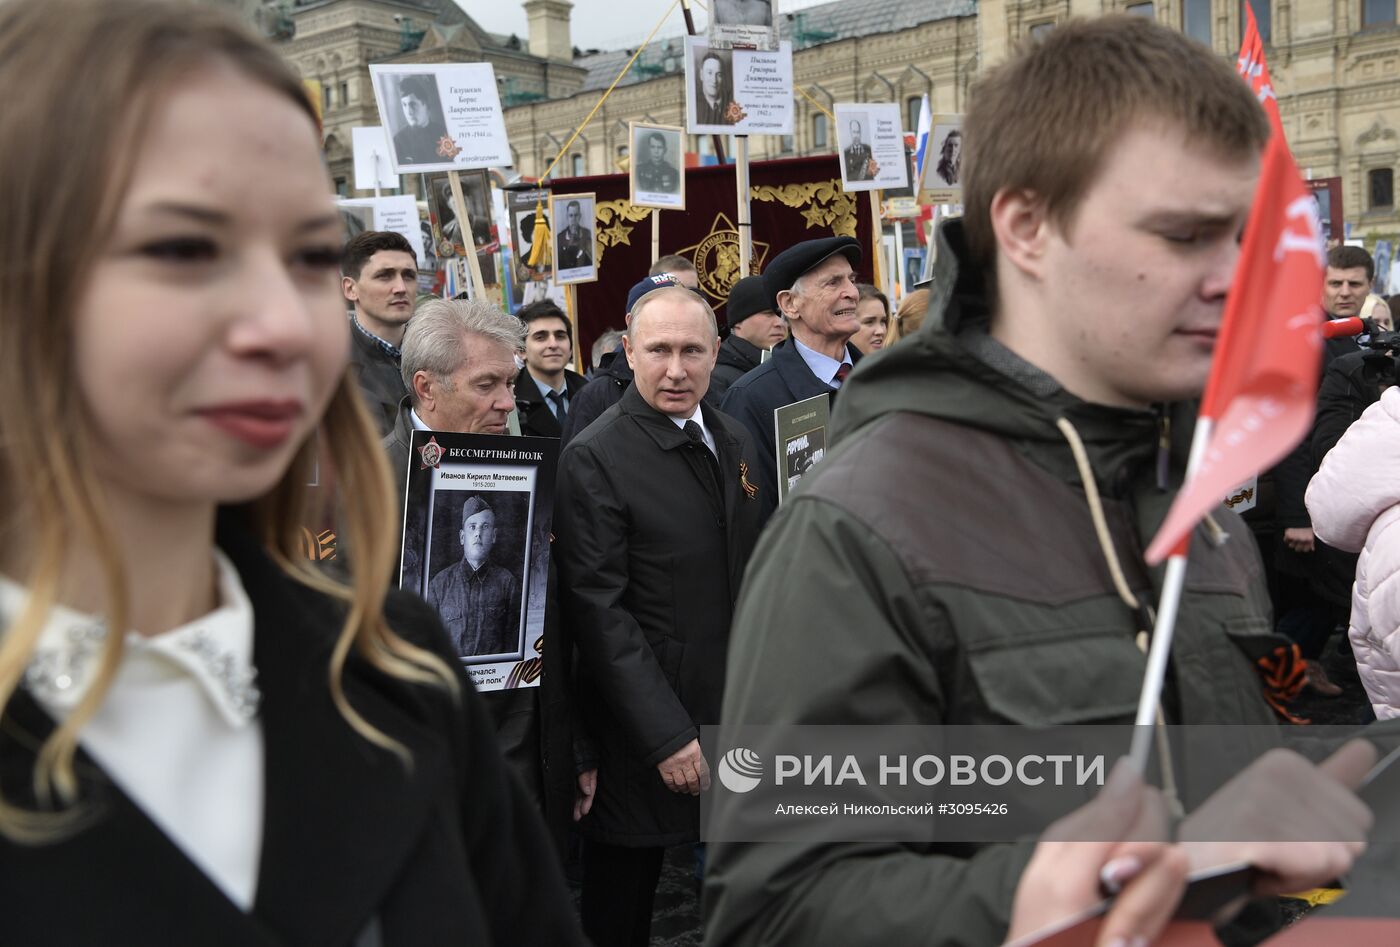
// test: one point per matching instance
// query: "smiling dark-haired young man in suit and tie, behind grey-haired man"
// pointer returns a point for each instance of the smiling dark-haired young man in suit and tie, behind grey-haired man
(547, 389)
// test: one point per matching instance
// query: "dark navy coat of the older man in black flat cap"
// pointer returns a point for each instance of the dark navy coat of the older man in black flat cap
(783, 380)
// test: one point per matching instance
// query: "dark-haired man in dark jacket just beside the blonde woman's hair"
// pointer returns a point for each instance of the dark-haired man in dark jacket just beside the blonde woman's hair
(379, 277)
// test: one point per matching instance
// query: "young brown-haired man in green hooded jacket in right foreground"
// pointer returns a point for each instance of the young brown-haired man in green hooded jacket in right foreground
(943, 565)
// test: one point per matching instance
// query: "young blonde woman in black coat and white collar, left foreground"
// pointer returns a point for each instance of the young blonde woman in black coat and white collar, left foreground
(202, 742)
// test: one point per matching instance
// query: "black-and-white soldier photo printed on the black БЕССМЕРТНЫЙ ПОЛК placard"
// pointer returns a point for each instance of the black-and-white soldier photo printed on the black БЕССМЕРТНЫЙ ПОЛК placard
(478, 564)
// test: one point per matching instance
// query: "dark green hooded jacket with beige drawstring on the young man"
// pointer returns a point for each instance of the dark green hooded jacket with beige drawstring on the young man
(941, 567)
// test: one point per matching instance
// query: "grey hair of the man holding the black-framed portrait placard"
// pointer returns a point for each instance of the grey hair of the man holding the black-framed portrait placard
(433, 338)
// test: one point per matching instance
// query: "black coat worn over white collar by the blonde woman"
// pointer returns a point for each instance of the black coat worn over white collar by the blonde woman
(358, 850)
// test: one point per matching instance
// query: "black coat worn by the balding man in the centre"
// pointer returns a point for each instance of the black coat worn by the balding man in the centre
(650, 562)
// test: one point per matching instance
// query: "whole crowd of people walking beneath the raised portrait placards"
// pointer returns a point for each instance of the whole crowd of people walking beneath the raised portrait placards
(208, 739)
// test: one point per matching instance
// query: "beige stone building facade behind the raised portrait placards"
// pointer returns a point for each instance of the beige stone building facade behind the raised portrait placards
(1336, 67)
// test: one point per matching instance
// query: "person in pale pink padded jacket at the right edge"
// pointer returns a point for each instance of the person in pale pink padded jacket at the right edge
(1354, 504)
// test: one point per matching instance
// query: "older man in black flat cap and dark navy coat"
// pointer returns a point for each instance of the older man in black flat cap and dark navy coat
(814, 286)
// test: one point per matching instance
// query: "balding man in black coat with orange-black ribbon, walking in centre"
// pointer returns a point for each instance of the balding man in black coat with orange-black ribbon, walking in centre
(656, 520)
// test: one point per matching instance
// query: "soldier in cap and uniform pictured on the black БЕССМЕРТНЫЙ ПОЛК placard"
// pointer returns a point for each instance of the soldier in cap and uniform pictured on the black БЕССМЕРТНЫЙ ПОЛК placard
(478, 600)
